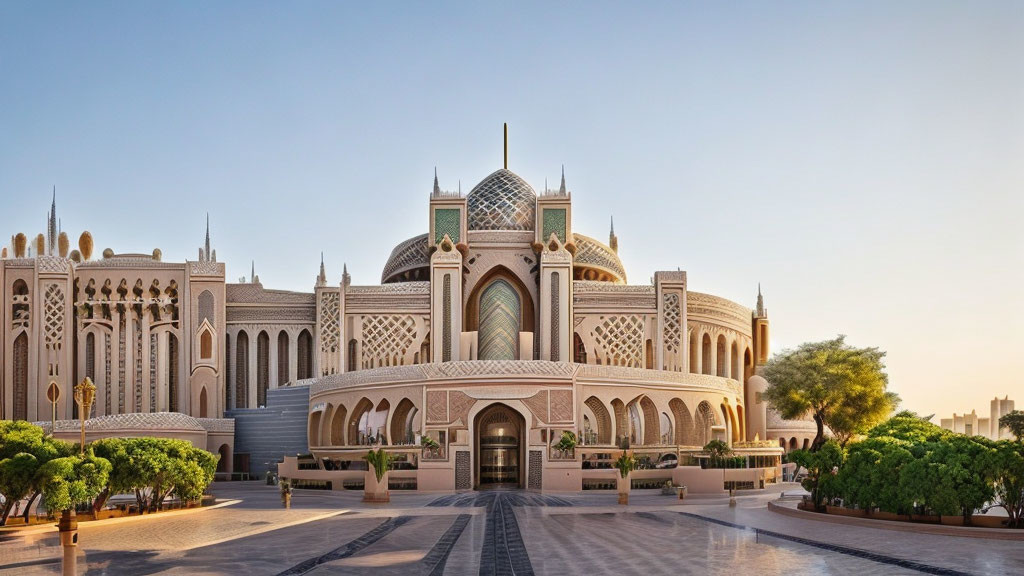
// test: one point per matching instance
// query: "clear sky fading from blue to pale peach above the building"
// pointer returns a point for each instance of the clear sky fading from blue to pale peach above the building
(864, 161)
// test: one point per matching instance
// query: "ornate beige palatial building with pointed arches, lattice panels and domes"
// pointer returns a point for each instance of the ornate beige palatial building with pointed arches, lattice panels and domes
(491, 335)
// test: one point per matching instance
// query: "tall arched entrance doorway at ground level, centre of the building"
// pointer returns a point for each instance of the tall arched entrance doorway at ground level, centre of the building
(500, 462)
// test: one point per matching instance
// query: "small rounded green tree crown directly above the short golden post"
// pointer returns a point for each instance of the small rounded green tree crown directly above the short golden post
(72, 481)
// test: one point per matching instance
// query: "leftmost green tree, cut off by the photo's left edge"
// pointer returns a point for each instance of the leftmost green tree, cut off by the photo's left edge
(24, 448)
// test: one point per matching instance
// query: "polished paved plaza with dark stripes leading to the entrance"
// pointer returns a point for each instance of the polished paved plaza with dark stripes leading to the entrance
(499, 533)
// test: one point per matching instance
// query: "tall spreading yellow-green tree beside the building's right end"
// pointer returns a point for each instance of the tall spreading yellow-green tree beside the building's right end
(841, 387)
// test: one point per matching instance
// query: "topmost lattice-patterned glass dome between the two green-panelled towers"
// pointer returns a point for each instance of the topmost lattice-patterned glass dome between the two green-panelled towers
(502, 201)
